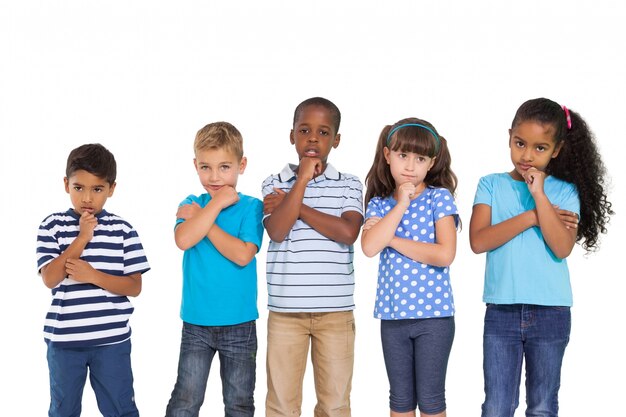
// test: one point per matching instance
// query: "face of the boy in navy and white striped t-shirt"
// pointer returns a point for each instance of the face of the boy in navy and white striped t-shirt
(87, 192)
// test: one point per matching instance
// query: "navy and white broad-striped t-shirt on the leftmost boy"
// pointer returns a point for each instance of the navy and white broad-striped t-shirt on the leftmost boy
(84, 315)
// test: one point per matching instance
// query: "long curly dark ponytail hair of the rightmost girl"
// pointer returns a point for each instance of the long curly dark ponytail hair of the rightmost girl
(578, 163)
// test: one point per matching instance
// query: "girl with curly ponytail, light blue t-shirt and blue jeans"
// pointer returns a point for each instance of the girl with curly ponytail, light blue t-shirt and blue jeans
(528, 221)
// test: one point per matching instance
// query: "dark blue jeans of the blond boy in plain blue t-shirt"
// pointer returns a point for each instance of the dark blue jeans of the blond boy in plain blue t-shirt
(237, 346)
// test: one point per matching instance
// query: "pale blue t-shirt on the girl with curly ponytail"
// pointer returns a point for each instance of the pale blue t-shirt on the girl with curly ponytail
(524, 270)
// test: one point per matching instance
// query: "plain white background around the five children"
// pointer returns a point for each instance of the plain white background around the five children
(142, 77)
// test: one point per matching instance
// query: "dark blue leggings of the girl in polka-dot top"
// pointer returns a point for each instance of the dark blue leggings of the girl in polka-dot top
(416, 353)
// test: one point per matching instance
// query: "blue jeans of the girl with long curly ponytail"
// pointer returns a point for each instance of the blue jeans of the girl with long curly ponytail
(536, 334)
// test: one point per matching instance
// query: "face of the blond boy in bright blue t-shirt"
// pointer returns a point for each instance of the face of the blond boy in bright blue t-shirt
(217, 168)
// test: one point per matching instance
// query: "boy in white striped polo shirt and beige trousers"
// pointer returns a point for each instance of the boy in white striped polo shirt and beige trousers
(312, 215)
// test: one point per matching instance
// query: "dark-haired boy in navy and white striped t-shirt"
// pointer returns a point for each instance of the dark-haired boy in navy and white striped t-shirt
(92, 260)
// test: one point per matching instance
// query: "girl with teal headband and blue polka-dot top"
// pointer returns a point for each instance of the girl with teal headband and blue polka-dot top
(411, 220)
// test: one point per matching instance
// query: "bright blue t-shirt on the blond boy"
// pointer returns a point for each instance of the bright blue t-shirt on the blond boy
(217, 291)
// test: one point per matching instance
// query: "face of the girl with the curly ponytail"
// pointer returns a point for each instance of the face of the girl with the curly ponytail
(532, 146)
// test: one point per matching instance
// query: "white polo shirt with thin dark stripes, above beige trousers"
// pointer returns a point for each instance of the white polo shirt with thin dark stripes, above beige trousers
(308, 272)
